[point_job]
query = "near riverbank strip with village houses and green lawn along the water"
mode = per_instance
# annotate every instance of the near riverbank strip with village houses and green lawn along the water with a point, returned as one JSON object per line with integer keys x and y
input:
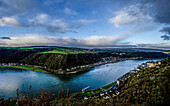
{"x": 110, "y": 88}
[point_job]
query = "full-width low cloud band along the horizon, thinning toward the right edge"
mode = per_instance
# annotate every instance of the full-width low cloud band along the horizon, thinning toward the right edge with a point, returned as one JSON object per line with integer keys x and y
{"x": 92, "y": 41}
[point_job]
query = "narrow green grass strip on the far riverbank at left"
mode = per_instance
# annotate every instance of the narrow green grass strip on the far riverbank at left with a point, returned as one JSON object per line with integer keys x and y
{"x": 33, "y": 68}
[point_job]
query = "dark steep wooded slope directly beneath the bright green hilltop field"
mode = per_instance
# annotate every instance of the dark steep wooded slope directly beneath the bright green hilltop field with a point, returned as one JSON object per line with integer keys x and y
{"x": 63, "y": 61}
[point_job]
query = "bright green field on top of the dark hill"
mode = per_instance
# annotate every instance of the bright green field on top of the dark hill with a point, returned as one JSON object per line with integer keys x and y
{"x": 62, "y": 51}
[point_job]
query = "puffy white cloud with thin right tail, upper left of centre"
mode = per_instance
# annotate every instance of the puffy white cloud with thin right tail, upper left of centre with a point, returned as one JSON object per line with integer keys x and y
{"x": 58, "y": 25}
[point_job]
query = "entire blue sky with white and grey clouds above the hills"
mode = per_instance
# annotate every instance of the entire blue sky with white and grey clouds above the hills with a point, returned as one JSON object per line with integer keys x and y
{"x": 85, "y": 23}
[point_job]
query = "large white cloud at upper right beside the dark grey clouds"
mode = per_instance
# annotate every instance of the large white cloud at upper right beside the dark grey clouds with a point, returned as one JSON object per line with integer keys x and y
{"x": 137, "y": 21}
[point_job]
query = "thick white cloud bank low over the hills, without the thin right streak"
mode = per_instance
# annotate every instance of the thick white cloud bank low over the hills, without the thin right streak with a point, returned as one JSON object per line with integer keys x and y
{"x": 39, "y": 40}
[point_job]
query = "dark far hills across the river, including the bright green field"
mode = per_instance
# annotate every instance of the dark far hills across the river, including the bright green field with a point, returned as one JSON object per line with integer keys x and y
{"x": 56, "y": 58}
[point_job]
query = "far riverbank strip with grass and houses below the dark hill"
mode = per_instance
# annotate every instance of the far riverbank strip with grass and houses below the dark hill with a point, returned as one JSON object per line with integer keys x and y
{"x": 73, "y": 70}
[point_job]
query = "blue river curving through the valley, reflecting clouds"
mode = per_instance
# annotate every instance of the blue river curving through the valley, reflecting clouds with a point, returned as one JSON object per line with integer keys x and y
{"x": 11, "y": 78}
